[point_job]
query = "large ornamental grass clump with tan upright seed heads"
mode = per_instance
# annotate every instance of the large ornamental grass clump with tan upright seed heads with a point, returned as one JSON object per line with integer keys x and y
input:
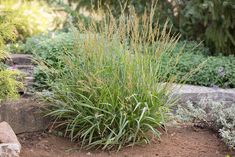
{"x": 110, "y": 92}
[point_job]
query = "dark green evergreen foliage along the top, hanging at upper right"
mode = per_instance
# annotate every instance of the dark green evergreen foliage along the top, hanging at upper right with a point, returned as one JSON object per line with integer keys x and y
{"x": 210, "y": 21}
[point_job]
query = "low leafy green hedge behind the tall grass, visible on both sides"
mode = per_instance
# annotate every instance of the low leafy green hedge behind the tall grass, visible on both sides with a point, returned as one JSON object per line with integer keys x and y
{"x": 216, "y": 71}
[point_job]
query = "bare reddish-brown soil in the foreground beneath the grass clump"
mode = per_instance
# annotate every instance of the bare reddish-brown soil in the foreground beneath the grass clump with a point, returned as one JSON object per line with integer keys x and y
{"x": 183, "y": 141}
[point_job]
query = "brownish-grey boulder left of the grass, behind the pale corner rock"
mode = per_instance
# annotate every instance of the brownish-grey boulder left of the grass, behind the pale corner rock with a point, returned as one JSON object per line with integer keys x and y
{"x": 23, "y": 115}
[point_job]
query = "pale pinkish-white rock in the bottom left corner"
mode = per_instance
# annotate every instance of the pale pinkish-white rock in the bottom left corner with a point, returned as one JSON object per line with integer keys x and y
{"x": 9, "y": 144}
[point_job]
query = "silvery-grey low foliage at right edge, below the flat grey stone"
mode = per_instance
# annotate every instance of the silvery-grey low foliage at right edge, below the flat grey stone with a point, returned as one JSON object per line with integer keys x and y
{"x": 212, "y": 115}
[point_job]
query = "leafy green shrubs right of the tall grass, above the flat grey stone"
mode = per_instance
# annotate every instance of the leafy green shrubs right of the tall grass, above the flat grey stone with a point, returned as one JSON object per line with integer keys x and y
{"x": 217, "y": 70}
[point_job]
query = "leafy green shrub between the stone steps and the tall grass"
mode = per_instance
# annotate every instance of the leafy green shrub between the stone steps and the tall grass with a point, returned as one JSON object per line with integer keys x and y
{"x": 49, "y": 48}
